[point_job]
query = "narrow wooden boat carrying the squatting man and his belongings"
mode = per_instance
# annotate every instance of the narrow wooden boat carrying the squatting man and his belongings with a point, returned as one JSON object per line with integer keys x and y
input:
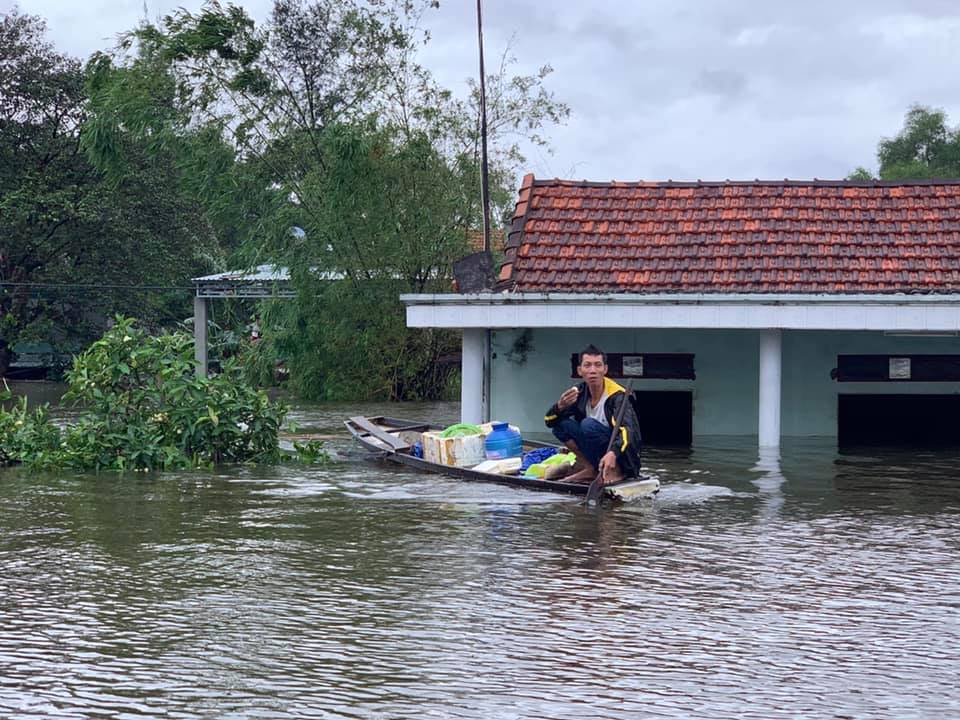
{"x": 392, "y": 439}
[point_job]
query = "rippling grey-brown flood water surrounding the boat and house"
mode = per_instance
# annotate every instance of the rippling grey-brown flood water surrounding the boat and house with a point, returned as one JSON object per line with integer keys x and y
{"x": 814, "y": 585}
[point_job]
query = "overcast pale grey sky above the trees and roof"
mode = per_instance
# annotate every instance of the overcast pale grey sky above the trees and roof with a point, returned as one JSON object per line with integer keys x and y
{"x": 674, "y": 89}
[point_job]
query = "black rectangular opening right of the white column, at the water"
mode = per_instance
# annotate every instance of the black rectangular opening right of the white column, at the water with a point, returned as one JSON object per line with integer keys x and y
{"x": 890, "y": 420}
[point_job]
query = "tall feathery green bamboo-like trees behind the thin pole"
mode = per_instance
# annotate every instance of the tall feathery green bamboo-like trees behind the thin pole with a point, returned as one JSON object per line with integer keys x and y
{"x": 350, "y": 167}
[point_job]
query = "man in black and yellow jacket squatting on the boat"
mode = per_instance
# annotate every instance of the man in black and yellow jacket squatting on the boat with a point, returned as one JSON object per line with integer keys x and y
{"x": 582, "y": 418}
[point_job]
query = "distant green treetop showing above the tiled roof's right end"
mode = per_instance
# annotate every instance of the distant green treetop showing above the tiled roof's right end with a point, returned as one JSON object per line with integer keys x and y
{"x": 926, "y": 147}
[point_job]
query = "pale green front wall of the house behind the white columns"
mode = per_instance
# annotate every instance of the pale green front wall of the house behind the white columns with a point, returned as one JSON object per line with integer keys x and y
{"x": 725, "y": 393}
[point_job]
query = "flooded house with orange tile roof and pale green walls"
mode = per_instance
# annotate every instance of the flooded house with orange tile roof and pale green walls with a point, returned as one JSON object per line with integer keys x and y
{"x": 767, "y": 309}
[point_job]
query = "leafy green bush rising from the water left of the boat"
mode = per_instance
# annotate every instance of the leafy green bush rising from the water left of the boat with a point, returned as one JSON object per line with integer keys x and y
{"x": 144, "y": 408}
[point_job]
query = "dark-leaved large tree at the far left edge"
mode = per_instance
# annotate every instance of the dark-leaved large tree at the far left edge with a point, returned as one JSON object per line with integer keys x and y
{"x": 62, "y": 223}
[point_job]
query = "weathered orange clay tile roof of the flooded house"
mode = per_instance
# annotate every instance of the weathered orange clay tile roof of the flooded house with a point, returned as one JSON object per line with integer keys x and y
{"x": 735, "y": 237}
